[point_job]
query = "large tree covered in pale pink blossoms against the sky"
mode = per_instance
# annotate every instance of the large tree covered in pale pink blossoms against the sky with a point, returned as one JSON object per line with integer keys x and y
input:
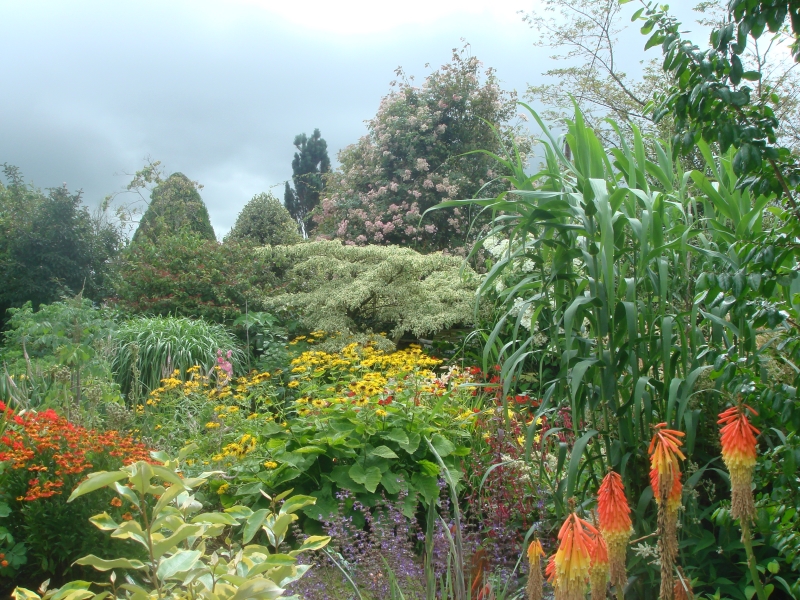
{"x": 414, "y": 157}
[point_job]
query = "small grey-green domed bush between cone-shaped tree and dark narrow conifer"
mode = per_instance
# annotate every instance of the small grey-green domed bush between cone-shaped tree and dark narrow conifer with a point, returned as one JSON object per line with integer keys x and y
{"x": 264, "y": 221}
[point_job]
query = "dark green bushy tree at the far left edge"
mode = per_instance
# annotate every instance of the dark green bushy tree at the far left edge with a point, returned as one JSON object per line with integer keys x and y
{"x": 51, "y": 245}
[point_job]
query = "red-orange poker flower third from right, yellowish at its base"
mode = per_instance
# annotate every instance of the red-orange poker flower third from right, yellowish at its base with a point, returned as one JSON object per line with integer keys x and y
{"x": 615, "y": 524}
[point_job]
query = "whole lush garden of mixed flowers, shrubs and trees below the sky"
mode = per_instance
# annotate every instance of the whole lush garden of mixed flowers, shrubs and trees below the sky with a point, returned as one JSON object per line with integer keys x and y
{"x": 443, "y": 375}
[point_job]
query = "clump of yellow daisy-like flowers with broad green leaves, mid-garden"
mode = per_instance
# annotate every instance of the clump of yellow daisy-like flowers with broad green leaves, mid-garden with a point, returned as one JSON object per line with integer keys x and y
{"x": 353, "y": 420}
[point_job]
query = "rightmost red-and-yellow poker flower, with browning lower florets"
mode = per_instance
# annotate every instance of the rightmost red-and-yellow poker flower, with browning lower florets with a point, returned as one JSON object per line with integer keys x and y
{"x": 739, "y": 444}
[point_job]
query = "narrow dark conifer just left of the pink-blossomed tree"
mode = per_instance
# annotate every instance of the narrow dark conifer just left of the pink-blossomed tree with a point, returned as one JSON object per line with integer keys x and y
{"x": 309, "y": 166}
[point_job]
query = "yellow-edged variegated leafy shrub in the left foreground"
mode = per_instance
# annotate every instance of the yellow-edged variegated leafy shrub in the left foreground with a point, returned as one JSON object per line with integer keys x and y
{"x": 175, "y": 537}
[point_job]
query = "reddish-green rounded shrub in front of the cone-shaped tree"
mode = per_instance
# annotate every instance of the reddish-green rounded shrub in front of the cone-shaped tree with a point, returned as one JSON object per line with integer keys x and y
{"x": 186, "y": 275}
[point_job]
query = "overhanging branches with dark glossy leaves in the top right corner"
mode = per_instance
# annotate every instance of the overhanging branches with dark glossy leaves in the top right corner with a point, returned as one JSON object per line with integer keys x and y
{"x": 712, "y": 98}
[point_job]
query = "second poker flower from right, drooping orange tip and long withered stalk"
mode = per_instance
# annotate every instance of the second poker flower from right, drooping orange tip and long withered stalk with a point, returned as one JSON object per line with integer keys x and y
{"x": 665, "y": 479}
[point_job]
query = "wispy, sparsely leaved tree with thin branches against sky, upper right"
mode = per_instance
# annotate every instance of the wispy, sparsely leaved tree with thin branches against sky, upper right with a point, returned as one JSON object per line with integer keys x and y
{"x": 584, "y": 35}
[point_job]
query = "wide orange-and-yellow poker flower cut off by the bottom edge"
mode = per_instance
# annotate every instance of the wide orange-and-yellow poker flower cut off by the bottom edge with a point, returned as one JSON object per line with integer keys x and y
{"x": 572, "y": 560}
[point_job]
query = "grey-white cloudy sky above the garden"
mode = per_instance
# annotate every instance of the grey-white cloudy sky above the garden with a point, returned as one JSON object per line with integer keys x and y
{"x": 218, "y": 89}
